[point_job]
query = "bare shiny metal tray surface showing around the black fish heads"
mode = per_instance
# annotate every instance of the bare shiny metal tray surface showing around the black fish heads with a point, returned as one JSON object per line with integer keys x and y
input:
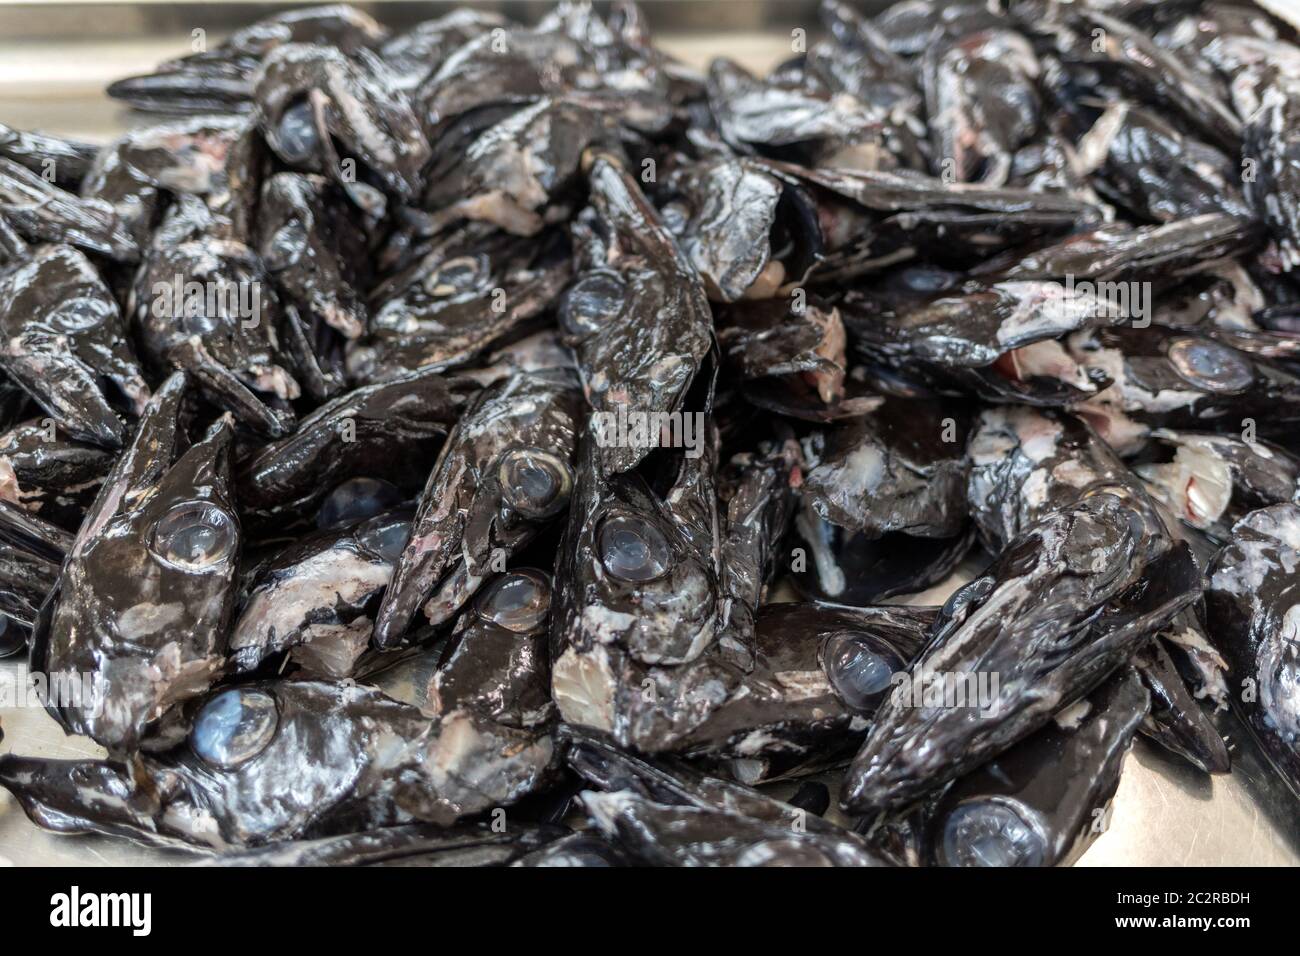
{"x": 1165, "y": 814}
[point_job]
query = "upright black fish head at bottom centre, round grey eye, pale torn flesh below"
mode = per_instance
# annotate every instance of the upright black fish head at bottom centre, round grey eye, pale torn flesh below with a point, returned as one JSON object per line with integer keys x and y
{"x": 612, "y": 638}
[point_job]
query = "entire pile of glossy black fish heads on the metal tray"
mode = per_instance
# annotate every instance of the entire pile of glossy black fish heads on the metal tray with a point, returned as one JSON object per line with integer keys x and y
{"x": 406, "y": 440}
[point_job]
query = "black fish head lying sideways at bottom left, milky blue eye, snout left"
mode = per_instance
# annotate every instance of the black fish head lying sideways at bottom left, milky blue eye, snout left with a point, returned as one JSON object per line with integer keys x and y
{"x": 343, "y": 759}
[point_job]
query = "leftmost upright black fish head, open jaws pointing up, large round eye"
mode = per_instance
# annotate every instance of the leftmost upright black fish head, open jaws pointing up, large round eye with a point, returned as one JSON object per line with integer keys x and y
{"x": 136, "y": 609}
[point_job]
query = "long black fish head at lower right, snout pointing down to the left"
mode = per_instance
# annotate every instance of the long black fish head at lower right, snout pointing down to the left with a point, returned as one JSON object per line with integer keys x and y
{"x": 1042, "y": 618}
